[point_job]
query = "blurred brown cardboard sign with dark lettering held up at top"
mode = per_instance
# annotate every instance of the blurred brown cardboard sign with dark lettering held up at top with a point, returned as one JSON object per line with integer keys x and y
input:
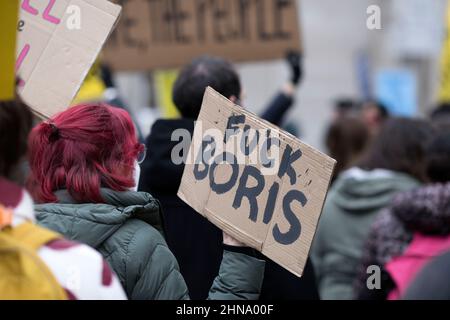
{"x": 159, "y": 34}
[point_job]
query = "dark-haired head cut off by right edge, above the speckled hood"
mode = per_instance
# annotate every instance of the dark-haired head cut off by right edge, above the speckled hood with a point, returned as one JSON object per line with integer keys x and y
{"x": 438, "y": 158}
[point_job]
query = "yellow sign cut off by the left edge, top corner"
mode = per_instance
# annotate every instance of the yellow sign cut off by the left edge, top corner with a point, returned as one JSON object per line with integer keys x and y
{"x": 9, "y": 11}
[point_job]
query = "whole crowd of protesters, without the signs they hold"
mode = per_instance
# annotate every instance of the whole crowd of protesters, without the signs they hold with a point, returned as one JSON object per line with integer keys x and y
{"x": 96, "y": 203}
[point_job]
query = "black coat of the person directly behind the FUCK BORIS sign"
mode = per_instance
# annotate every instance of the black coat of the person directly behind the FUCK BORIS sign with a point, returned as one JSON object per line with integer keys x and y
{"x": 195, "y": 242}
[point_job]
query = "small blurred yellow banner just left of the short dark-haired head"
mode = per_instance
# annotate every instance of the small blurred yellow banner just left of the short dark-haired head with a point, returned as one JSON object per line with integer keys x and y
{"x": 164, "y": 81}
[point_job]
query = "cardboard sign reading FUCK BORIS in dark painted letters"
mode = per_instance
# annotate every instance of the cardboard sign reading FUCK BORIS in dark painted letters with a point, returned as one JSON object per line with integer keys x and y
{"x": 257, "y": 183}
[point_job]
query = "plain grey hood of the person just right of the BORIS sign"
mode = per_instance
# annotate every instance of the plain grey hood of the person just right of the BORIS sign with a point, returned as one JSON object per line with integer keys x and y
{"x": 360, "y": 191}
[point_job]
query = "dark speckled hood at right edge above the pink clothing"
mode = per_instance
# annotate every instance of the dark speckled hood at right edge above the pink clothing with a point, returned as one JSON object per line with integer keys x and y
{"x": 425, "y": 210}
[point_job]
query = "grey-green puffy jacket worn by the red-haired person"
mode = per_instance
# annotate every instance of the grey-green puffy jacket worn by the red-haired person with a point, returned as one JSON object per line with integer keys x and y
{"x": 126, "y": 230}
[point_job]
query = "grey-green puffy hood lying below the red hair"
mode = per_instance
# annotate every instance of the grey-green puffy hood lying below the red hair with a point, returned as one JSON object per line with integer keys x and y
{"x": 92, "y": 224}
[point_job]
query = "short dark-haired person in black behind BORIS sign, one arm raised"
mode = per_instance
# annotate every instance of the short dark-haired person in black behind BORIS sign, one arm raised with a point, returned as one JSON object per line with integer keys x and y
{"x": 195, "y": 241}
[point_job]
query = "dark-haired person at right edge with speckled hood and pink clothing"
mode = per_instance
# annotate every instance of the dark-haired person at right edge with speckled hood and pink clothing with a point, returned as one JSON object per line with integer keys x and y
{"x": 413, "y": 230}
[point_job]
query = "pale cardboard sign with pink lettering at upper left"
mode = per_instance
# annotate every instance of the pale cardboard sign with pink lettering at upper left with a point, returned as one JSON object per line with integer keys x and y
{"x": 58, "y": 43}
